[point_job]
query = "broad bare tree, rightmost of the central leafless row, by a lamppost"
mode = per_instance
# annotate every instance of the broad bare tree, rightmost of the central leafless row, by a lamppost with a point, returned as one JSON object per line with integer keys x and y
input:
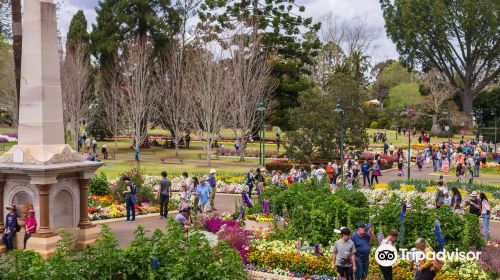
{"x": 249, "y": 82}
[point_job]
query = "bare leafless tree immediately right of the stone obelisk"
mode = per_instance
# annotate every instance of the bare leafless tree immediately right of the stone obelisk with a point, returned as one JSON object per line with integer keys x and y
{"x": 76, "y": 74}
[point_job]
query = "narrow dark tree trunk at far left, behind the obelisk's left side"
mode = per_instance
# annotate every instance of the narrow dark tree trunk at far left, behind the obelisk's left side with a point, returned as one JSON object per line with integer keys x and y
{"x": 17, "y": 32}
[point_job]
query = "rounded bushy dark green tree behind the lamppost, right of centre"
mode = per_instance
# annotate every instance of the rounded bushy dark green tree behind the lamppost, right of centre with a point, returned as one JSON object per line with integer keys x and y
{"x": 318, "y": 125}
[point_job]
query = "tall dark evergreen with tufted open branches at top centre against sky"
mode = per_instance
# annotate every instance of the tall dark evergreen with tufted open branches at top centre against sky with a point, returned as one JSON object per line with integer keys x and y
{"x": 285, "y": 33}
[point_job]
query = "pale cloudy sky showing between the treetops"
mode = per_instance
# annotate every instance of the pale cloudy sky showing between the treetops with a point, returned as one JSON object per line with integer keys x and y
{"x": 368, "y": 10}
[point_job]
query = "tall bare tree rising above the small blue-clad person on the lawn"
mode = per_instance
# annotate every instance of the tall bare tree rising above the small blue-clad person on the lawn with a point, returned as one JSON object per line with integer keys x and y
{"x": 136, "y": 95}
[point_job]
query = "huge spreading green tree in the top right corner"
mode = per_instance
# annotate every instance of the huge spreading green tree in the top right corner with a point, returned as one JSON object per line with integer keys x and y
{"x": 460, "y": 38}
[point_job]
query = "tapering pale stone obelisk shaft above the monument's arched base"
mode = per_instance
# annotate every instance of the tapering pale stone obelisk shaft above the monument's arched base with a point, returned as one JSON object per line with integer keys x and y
{"x": 41, "y": 127}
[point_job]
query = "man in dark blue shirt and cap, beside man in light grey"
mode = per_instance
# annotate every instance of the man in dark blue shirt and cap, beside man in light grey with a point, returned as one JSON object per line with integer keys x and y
{"x": 361, "y": 239}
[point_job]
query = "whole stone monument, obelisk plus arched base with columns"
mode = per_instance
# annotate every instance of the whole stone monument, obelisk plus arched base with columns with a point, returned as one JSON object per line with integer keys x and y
{"x": 41, "y": 169}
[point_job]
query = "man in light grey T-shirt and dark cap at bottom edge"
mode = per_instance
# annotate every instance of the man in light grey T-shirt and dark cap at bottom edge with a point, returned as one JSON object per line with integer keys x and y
{"x": 343, "y": 255}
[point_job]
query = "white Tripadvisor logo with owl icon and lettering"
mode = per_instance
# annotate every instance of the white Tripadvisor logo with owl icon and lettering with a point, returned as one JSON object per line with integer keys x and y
{"x": 387, "y": 255}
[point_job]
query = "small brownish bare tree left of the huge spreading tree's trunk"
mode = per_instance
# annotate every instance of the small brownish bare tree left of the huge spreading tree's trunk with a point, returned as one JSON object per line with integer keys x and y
{"x": 439, "y": 92}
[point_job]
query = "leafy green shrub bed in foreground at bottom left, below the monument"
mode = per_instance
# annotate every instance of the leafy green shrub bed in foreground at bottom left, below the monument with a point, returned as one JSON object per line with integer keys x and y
{"x": 179, "y": 256}
